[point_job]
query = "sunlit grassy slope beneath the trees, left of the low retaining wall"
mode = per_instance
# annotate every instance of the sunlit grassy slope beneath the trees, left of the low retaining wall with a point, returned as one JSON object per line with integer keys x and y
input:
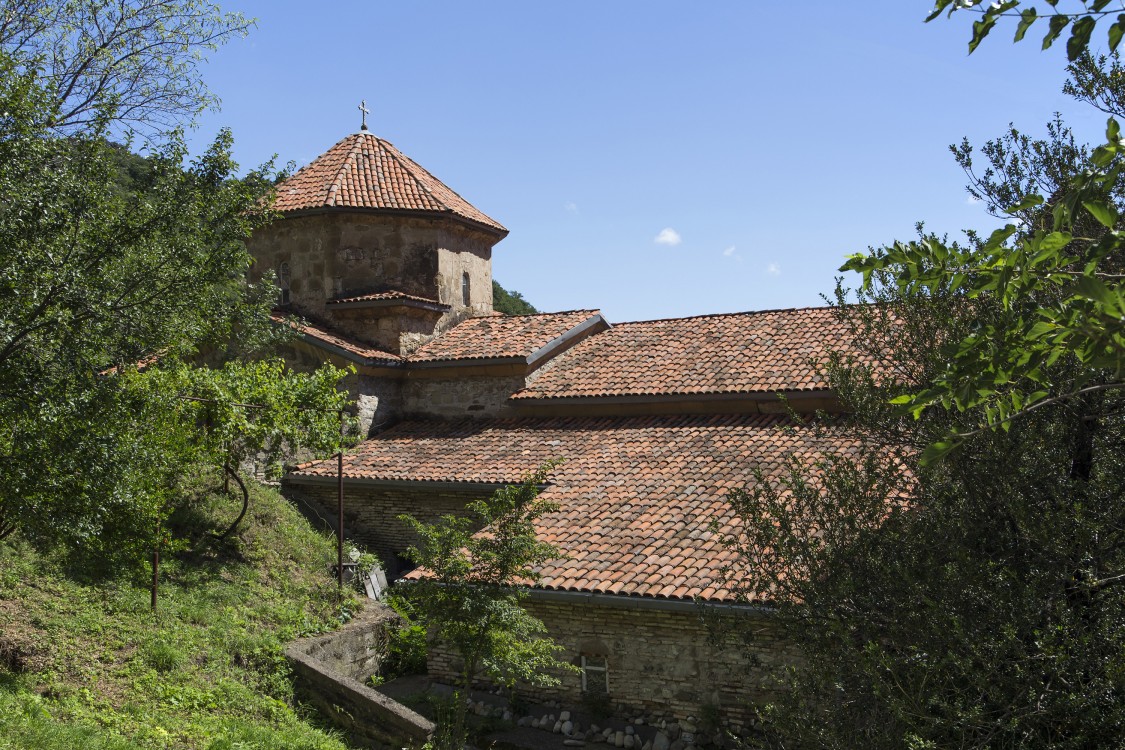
{"x": 85, "y": 664}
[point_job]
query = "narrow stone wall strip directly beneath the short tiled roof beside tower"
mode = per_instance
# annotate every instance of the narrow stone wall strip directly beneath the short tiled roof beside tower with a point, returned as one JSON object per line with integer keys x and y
{"x": 461, "y": 397}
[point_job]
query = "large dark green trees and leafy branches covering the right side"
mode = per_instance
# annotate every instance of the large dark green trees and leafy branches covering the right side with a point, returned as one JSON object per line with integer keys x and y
{"x": 968, "y": 598}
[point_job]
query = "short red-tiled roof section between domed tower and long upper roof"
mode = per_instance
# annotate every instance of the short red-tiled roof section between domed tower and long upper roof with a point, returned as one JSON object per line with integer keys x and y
{"x": 501, "y": 338}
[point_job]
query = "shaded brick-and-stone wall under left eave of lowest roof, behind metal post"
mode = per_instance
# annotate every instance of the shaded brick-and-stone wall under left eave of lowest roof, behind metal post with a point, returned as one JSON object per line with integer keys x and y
{"x": 372, "y": 514}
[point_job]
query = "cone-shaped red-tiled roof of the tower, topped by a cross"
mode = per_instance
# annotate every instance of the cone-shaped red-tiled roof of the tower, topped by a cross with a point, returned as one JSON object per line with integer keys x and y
{"x": 366, "y": 173}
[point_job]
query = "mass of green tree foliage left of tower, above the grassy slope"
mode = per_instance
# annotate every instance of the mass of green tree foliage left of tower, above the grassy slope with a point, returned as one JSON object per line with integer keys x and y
{"x": 123, "y": 277}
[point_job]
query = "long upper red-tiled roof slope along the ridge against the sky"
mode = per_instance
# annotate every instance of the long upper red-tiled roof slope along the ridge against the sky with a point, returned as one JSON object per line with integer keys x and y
{"x": 739, "y": 354}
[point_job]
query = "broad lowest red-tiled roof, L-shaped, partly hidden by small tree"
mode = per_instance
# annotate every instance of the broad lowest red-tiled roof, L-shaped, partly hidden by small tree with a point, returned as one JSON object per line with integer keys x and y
{"x": 636, "y": 494}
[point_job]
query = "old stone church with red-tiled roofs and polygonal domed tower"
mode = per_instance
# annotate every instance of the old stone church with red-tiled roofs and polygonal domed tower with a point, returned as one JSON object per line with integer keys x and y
{"x": 390, "y": 270}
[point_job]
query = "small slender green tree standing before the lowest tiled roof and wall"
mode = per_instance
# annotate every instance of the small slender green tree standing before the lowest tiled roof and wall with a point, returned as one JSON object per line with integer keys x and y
{"x": 471, "y": 592}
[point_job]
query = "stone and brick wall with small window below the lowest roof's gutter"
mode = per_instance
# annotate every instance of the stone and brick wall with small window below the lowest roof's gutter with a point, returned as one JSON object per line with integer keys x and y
{"x": 661, "y": 664}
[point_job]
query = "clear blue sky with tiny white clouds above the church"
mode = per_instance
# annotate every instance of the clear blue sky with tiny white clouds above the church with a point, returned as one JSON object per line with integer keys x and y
{"x": 652, "y": 159}
